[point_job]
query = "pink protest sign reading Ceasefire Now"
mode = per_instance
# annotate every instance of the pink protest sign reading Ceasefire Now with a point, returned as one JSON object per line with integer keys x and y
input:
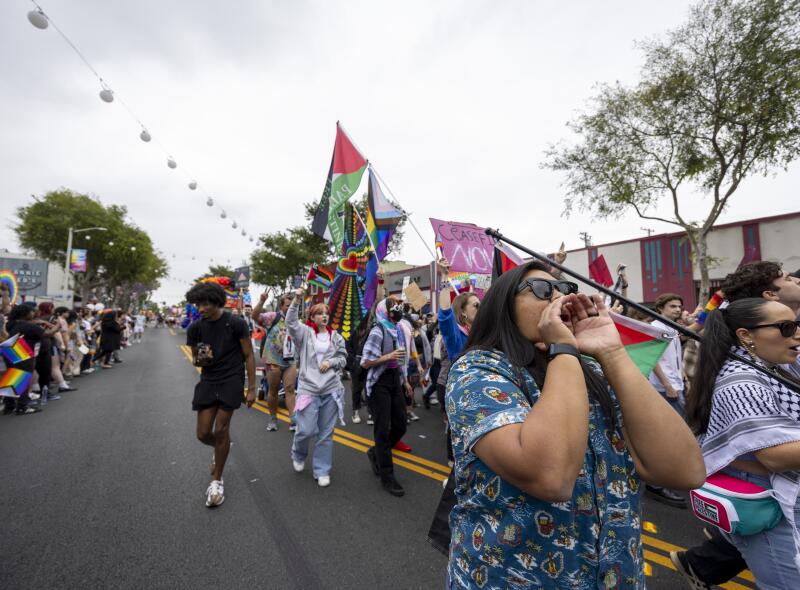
{"x": 465, "y": 245}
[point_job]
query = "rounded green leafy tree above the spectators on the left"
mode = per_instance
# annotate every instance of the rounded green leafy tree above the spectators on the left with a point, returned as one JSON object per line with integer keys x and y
{"x": 120, "y": 261}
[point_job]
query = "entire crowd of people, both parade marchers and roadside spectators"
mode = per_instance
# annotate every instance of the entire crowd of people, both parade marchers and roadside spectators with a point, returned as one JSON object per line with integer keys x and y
{"x": 552, "y": 431}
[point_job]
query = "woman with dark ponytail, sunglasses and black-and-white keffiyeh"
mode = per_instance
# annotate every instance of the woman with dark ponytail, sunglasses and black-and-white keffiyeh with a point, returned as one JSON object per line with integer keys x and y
{"x": 748, "y": 423}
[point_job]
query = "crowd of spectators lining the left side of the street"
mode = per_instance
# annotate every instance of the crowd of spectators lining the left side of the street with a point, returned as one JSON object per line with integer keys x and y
{"x": 66, "y": 344}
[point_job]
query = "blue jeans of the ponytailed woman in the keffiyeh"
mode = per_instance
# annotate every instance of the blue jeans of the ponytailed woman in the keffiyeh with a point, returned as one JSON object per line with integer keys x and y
{"x": 769, "y": 554}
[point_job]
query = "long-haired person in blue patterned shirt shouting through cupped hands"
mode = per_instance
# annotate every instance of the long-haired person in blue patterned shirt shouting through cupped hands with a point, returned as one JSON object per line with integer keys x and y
{"x": 550, "y": 445}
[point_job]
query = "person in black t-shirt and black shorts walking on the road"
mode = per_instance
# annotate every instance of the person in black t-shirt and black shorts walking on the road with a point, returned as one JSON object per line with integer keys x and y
{"x": 221, "y": 346}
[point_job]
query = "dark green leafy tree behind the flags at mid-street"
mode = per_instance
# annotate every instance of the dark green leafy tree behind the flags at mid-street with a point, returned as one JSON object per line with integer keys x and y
{"x": 285, "y": 254}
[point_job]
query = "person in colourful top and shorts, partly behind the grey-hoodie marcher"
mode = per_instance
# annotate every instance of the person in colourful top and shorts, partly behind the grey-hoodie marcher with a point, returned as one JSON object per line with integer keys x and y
{"x": 279, "y": 360}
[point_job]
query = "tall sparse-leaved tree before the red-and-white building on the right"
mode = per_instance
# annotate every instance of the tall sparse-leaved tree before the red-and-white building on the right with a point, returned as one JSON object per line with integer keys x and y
{"x": 717, "y": 102}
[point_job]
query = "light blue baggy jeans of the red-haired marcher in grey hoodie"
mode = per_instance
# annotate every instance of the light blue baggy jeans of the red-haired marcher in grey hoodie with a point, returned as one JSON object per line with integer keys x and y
{"x": 317, "y": 419}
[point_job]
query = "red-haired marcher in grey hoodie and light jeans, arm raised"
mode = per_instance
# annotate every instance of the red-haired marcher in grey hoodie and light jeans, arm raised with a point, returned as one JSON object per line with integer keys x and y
{"x": 321, "y": 355}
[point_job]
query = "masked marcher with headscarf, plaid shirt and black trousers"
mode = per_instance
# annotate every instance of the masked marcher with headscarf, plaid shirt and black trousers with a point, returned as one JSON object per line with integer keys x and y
{"x": 386, "y": 386}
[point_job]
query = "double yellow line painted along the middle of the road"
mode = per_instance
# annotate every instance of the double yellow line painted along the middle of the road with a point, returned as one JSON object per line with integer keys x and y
{"x": 440, "y": 472}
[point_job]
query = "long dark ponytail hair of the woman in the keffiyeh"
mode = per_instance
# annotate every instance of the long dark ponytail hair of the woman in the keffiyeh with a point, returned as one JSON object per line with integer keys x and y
{"x": 719, "y": 336}
